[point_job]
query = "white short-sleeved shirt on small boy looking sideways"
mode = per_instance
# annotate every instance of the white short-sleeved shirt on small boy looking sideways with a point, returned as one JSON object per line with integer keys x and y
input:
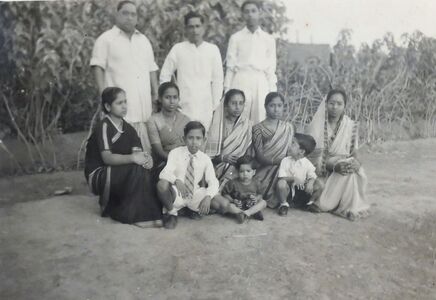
{"x": 302, "y": 170}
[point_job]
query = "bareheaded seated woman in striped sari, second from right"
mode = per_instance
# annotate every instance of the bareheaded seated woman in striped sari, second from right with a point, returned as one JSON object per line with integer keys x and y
{"x": 271, "y": 139}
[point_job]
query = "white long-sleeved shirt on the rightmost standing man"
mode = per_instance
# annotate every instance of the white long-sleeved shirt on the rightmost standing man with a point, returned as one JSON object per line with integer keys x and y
{"x": 251, "y": 51}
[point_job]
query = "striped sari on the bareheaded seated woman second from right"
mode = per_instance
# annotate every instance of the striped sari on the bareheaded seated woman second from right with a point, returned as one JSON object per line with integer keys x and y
{"x": 275, "y": 147}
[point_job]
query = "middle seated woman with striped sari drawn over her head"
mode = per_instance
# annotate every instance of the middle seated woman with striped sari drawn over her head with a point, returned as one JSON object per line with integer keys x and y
{"x": 229, "y": 135}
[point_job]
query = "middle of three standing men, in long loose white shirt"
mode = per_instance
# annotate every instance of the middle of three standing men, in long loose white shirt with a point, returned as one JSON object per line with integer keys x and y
{"x": 199, "y": 72}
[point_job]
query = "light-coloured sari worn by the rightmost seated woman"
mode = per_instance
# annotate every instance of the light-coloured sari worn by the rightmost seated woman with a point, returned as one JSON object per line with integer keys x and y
{"x": 343, "y": 194}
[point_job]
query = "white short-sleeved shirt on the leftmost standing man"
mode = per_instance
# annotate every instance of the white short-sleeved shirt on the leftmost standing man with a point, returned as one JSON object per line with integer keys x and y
{"x": 127, "y": 64}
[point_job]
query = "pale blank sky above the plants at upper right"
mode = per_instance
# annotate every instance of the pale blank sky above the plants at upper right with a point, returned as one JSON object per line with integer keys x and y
{"x": 320, "y": 21}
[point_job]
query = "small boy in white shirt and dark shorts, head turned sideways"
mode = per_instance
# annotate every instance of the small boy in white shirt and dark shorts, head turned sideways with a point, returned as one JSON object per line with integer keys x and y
{"x": 298, "y": 182}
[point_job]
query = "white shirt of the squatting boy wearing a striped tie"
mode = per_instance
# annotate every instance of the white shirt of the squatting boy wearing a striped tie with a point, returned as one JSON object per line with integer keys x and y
{"x": 177, "y": 165}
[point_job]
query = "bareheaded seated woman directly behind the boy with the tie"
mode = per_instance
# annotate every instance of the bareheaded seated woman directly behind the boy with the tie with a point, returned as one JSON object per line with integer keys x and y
{"x": 165, "y": 128}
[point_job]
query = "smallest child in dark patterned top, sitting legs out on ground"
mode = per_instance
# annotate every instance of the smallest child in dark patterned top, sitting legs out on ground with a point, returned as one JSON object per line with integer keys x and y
{"x": 244, "y": 193}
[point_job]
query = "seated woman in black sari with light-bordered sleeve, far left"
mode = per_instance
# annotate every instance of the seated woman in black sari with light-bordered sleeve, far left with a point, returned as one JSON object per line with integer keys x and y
{"x": 117, "y": 169}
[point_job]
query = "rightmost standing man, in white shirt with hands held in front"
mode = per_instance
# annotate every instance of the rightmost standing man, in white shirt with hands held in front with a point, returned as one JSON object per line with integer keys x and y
{"x": 251, "y": 62}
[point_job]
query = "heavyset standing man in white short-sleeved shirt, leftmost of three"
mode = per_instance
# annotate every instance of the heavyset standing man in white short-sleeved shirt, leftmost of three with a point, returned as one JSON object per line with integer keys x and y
{"x": 123, "y": 57}
